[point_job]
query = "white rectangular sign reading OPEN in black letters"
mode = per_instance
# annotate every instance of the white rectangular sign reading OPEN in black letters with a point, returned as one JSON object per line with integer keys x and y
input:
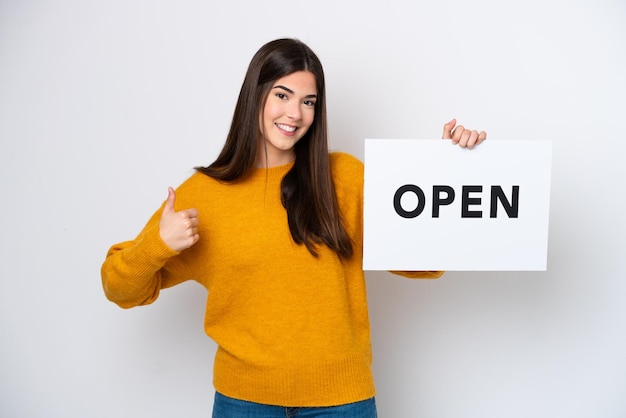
{"x": 429, "y": 205}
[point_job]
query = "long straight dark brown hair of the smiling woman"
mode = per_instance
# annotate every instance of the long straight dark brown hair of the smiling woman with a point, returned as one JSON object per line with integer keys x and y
{"x": 307, "y": 190}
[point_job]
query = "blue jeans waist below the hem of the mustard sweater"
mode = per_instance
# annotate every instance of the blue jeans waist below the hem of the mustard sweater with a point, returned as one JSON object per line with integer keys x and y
{"x": 225, "y": 407}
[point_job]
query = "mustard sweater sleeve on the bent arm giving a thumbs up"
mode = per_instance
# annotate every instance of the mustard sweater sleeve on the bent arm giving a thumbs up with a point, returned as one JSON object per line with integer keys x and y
{"x": 134, "y": 272}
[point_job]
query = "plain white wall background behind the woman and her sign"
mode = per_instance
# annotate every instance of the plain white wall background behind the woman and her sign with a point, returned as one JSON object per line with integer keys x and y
{"x": 103, "y": 104}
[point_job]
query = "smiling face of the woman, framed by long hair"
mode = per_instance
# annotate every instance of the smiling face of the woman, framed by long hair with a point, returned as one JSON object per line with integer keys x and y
{"x": 287, "y": 116}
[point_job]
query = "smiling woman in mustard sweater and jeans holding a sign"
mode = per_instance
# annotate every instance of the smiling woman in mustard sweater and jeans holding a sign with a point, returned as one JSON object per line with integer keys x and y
{"x": 273, "y": 230}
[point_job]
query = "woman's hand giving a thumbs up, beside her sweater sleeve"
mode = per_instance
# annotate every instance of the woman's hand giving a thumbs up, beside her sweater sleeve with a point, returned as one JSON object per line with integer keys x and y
{"x": 179, "y": 230}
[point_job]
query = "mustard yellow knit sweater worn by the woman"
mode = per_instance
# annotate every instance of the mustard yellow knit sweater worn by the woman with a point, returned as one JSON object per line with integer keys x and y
{"x": 291, "y": 329}
